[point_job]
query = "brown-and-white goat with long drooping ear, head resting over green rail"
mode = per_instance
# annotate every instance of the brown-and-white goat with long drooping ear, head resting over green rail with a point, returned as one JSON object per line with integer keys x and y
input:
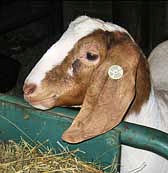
{"x": 98, "y": 65}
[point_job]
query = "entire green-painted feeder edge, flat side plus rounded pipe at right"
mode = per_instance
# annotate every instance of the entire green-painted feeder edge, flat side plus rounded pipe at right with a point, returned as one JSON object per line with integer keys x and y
{"x": 18, "y": 119}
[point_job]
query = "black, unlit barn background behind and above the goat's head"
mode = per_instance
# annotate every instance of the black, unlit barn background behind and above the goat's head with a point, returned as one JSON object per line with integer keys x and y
{"x": 29, "y": 27}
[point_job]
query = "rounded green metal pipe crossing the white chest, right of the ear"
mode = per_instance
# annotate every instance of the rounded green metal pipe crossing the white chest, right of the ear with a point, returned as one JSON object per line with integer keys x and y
{"x": 143, "y": 138}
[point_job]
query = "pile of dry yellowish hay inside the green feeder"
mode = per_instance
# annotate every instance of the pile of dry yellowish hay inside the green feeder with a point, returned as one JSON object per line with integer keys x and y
{"x": 24, "y": 158}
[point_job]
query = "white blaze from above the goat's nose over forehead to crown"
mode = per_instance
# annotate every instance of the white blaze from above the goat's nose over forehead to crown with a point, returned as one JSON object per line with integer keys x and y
{"x": 55, "y": 55}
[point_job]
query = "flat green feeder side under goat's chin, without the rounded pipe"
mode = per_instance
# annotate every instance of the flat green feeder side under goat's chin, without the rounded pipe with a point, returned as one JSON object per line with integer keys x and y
{"x": 18, "y": 119}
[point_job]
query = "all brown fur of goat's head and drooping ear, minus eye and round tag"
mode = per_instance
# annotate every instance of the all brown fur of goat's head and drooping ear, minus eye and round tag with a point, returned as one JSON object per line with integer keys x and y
{"x": 105, "y": 101}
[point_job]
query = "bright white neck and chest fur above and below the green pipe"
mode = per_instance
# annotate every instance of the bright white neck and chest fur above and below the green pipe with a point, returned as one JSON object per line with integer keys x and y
{"x": 152, "y": 114}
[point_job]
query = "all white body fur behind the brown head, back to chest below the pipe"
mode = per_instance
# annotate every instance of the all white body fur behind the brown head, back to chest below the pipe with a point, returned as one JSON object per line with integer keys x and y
{"x": 153, "y": 114}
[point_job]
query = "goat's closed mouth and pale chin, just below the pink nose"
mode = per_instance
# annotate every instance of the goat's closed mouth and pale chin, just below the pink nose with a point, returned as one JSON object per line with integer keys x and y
{"x": 44, "y": 104}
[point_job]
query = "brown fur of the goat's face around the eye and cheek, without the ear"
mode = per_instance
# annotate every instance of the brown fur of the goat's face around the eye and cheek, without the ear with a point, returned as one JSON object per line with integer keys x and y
{"x": 72, "y": 89}
